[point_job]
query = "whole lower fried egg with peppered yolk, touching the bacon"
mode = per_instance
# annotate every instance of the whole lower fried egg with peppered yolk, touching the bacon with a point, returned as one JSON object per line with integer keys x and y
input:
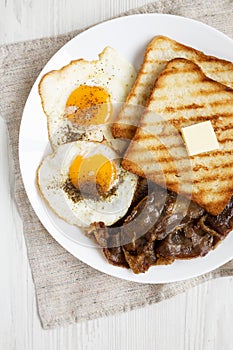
{"x": 83, "y": 183}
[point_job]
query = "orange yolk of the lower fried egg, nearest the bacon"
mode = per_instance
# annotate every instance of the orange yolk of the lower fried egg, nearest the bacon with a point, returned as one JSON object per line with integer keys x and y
{"x": 96, "y": 170}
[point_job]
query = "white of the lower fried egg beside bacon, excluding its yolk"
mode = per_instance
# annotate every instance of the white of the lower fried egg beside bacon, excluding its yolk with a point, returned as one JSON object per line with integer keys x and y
{"x": 53, "y": 172}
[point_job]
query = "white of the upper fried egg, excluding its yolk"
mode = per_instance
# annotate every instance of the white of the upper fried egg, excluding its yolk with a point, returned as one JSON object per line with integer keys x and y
{"x": 111, "y": 72}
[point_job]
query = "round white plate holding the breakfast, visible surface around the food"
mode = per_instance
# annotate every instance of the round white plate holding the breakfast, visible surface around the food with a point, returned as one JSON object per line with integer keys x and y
{"x": 129, "y": 35}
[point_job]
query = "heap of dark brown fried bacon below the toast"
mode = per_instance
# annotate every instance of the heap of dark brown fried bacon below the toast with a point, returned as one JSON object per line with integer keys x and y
{"x": 160, "y": 228}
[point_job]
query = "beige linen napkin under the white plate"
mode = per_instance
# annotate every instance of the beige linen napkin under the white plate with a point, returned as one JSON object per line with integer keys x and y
{"x": 68, "y": 290}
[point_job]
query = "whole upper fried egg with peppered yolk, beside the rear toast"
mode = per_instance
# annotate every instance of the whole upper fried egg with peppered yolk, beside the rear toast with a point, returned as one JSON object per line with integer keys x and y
{"x": 81, "y": 99}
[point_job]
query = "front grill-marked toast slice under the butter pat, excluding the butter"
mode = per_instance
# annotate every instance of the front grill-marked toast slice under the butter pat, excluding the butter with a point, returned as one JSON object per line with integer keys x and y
{"x": 183, "y": 96}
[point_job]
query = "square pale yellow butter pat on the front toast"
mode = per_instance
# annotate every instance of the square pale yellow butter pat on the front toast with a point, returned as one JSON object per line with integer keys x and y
{"x": 200, "y": 138}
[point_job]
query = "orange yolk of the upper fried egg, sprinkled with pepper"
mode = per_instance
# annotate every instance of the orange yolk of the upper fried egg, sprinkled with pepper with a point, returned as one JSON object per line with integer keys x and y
{"x": 88, "y": 105}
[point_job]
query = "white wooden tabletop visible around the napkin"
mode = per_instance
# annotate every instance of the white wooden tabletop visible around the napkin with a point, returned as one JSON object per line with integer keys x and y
{"x": 200, "y": 319}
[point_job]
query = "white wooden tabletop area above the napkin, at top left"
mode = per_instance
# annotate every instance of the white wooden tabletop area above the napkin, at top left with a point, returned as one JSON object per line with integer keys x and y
{"x": 30, "y": 19}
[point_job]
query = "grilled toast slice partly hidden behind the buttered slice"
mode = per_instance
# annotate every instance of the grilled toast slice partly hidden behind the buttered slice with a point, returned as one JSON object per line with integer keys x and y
{"x": 161, "y": 50}
